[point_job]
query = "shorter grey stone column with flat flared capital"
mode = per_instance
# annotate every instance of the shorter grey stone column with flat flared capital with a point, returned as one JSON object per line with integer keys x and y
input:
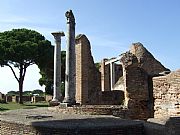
{"x": 57, "y": 66}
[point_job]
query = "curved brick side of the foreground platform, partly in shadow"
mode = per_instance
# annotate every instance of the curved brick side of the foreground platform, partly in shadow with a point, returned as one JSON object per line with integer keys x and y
{"x": 38, "y": 129}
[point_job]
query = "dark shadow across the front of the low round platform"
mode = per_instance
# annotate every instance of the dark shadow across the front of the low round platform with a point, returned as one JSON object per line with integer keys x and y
{"x": 89, "y": 126}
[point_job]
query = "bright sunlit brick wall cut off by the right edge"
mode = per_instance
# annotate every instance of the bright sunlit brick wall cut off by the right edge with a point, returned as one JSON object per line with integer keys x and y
{"x": 166, "y": 92}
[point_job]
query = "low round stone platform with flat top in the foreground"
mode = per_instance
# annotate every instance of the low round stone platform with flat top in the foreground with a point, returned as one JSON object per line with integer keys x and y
{"x": 41, "y": 121}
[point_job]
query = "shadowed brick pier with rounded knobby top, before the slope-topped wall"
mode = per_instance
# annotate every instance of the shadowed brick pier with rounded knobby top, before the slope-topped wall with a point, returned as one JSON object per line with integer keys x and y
{"x": 136, "y": 87}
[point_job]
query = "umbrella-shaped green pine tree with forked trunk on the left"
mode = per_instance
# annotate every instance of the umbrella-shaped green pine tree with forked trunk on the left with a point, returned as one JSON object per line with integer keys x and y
{"x": 20, "y": 48}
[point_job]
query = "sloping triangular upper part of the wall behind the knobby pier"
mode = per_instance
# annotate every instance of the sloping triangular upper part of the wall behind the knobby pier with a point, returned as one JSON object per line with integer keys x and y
{"x": 146, "y": 60}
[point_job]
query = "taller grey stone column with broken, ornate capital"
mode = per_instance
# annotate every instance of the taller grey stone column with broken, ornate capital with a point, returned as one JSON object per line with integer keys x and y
{"x": 70, "y": 72}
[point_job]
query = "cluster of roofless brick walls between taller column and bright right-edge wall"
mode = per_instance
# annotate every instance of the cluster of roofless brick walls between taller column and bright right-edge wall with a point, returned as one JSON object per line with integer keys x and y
{"x": 125, "y": 80}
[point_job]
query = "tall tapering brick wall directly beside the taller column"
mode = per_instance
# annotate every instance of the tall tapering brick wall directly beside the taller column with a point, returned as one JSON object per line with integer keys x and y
{"x": 88, "y": 78}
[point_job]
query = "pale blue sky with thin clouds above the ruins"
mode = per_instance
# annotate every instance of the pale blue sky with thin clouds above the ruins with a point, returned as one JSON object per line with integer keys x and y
{"x": 111, "y": 27}
